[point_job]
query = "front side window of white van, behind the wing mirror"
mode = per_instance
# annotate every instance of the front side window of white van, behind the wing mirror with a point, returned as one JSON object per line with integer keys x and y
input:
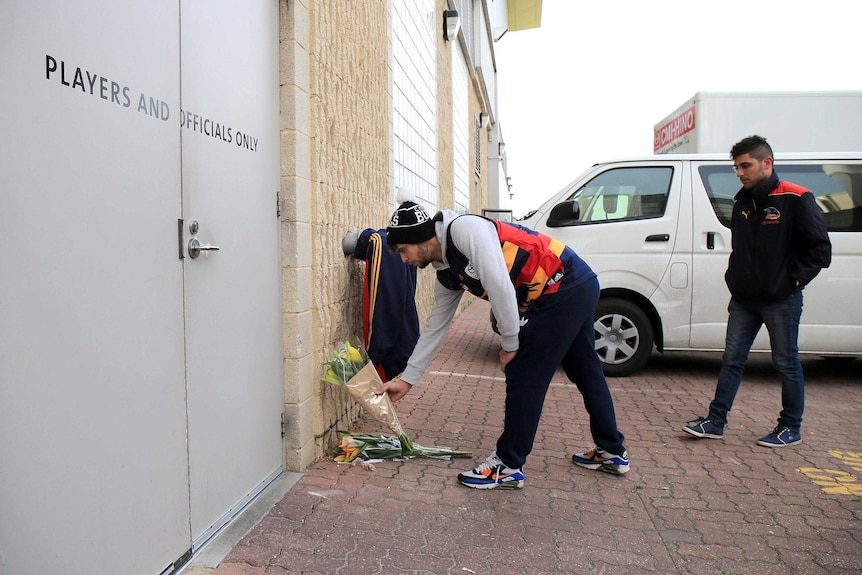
{"x": 624, "y": 194}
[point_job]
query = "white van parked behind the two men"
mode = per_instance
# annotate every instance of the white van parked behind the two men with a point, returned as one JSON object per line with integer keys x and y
{"x": 656, "y": 231}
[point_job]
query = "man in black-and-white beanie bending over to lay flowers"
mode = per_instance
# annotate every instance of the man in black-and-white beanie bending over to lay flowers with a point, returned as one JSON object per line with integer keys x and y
{"x": 543, "y": 297}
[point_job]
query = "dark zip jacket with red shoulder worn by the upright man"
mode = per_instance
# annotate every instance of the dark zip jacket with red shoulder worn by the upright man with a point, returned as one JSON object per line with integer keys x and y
{"x": 779, "y": 241}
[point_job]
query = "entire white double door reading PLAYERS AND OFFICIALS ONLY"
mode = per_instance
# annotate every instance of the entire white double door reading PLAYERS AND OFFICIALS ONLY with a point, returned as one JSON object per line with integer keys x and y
{"x": 140, "y": 389}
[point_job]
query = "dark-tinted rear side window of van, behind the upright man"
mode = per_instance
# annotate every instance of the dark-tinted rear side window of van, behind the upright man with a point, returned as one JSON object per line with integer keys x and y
{"x": 837, "y": 188}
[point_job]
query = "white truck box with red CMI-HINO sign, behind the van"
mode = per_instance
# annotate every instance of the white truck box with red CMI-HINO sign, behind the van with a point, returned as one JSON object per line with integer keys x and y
{"x": 709, "y": 122}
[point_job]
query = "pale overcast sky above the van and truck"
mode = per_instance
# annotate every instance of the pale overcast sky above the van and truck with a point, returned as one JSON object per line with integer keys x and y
{"x": 591, "y": 82}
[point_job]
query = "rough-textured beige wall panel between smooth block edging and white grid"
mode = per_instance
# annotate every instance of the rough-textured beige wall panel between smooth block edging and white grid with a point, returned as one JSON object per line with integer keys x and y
{"x": 350, "y": 176}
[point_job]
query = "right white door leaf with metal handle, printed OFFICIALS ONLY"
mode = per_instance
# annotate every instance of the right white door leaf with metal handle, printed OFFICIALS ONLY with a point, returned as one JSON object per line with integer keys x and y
{"x": 233, "y": 297}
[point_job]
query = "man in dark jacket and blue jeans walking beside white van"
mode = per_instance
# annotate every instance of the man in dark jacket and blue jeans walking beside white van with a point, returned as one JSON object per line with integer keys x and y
{"x": 779, "y": 244}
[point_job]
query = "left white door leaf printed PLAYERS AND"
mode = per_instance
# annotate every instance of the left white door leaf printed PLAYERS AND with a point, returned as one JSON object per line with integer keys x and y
{"x": 93, "y": 461}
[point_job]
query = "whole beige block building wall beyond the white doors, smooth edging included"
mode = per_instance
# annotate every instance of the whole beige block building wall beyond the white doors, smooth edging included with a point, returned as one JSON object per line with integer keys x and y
{"x": 336, "y": 164}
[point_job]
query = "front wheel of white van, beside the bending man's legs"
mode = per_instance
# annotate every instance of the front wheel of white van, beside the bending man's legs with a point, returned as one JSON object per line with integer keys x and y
{"x": 624, "y": 336}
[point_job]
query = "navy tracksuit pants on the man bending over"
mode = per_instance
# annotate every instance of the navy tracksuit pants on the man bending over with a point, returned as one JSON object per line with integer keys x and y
{"x": 558, "y": 332}
